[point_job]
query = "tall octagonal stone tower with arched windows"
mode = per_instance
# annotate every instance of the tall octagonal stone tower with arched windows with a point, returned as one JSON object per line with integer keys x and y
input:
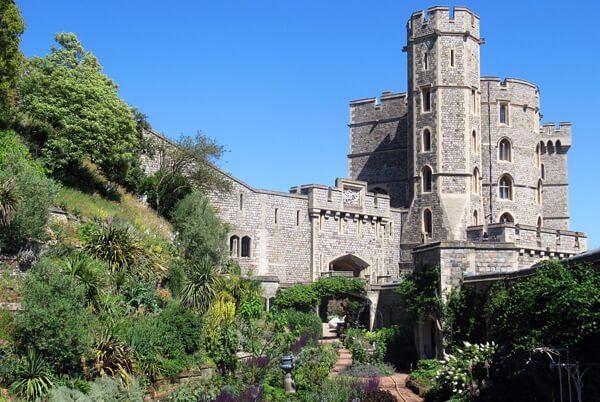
{"x": 444, "y": 126}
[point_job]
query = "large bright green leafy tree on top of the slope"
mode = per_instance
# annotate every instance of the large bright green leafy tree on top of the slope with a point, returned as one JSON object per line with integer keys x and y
{"x": 68, "y": 90}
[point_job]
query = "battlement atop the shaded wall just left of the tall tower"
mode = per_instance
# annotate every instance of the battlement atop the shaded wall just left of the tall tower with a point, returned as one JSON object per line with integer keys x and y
{"x": 390, "y": 105}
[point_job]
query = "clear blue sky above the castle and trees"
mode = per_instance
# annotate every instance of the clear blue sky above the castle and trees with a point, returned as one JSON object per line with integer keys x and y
{"x": 271, "y": 80}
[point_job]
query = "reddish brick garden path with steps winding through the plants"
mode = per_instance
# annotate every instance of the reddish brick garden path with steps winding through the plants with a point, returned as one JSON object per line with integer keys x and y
{"x": 395, "y": 384}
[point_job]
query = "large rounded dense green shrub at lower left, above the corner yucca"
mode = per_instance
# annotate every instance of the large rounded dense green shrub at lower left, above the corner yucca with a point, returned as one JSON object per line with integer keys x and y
{"x": 54, "y": 320}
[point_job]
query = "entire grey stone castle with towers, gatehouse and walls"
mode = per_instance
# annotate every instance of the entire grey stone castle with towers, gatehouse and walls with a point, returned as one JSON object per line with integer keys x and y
{"x": 455, "y": 172}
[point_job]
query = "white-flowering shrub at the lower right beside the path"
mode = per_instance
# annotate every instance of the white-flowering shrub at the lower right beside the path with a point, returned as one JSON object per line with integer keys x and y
{"x": 466, "y": 372}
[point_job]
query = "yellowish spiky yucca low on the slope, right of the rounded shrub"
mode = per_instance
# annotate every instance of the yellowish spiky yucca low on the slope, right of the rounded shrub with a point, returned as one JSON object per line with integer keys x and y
{"x": 113, "y": 358}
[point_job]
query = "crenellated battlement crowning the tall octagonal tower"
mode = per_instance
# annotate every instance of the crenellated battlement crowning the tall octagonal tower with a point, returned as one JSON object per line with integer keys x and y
{"x": 440, "y": 19}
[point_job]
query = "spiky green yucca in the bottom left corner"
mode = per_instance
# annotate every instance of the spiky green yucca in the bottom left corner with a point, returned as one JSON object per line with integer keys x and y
{"x": 34, "y": 378}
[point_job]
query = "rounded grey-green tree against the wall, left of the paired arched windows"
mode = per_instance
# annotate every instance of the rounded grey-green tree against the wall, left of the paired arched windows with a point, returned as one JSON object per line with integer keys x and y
{"x": 200, "y": 232}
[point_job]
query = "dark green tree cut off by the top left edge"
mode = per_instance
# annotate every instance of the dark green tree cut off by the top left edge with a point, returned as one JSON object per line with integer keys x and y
{"x": 11, "y": 29}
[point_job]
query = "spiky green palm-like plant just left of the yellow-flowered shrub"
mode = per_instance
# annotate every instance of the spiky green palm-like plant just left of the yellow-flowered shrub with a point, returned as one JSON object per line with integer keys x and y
{"x": 200, "y": 284}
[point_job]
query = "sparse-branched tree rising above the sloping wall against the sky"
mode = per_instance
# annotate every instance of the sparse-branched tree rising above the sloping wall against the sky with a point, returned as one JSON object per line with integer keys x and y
{"x": 185, "y": 165}
